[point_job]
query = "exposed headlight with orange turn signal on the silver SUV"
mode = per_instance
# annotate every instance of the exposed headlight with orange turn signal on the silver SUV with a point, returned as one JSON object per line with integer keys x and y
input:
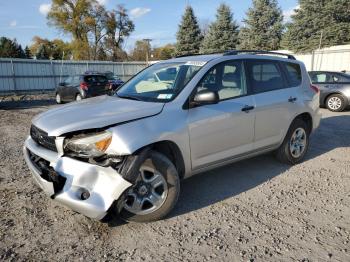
{"x": 89, "y": 145}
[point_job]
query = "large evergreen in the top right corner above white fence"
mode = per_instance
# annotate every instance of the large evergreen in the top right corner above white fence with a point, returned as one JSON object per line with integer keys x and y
{"x": 329, "y": 18}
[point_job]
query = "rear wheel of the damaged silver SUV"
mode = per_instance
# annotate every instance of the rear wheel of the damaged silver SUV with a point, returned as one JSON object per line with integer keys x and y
{"x": 288, "y": 151}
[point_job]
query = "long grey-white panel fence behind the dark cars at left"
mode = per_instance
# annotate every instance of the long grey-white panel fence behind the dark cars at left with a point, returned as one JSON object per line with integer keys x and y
{"x": 22, "y": 76}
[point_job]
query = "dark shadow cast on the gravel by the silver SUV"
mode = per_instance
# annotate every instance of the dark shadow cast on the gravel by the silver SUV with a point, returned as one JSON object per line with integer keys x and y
{"x": 219, "y": 184}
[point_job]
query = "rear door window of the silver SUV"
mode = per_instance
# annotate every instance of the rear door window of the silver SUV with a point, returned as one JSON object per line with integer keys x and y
{"x": 265, "y": 76}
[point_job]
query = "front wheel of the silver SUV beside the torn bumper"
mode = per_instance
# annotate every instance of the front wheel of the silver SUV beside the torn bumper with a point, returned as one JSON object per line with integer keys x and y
{"x": 163, "y": 167}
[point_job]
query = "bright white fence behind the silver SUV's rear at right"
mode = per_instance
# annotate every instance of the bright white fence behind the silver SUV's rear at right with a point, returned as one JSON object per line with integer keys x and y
{"x": 335, "y": 58}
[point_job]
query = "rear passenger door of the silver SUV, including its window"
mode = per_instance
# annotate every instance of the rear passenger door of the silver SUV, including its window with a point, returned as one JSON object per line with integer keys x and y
{"x": 275, "y": 97}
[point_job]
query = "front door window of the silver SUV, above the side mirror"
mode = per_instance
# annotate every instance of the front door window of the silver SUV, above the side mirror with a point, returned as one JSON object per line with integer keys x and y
{"x": 227, "y": 79}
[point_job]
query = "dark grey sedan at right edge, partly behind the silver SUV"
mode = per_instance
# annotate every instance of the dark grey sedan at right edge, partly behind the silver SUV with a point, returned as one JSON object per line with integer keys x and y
{"x": 334, "y": 89}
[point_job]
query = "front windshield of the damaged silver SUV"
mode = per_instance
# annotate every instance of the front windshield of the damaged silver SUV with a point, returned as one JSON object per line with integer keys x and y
{"x": 160, "y": 82}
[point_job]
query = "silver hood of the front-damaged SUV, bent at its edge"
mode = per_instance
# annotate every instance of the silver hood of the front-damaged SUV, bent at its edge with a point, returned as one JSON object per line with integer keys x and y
{"x": 93, "y": 113}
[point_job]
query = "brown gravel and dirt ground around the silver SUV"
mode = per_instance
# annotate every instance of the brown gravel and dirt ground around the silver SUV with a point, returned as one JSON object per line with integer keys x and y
{"x": 255, "y": 210}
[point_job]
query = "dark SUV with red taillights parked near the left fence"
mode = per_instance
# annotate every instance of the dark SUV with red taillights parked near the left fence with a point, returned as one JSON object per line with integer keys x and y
{"x": 82, "y": 86}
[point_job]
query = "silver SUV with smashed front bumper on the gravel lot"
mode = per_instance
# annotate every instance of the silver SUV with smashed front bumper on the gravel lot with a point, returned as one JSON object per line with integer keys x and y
{"x": 126, "y": 154}
